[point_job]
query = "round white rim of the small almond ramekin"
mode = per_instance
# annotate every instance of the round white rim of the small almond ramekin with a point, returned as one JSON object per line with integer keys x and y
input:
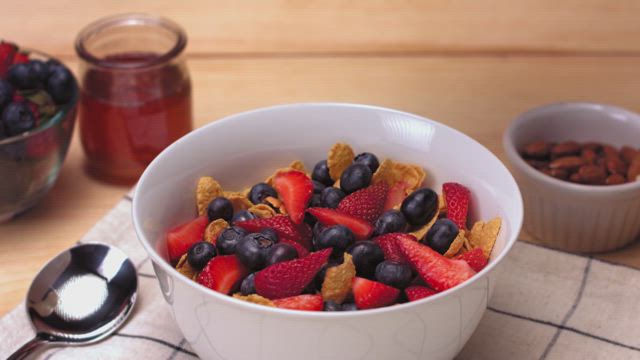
{"x": 517, "y": 160}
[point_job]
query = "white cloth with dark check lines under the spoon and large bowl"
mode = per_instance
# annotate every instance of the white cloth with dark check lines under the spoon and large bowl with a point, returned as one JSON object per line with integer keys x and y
{"x": 547, "y": 305}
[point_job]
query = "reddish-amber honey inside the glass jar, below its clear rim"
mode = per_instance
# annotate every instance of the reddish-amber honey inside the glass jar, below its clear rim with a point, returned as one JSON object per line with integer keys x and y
{"x": 128, "y": 116}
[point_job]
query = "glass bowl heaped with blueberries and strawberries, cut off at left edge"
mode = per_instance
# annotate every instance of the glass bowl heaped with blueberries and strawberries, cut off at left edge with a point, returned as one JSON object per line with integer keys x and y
{"x": 38, "y": 97}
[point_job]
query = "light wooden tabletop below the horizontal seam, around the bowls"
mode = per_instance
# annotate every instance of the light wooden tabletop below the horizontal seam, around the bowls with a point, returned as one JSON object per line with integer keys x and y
{"x": 478, "y": 95}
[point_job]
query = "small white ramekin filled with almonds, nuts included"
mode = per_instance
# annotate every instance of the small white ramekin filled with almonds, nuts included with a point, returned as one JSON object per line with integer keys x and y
{"x": 578, "y": 165}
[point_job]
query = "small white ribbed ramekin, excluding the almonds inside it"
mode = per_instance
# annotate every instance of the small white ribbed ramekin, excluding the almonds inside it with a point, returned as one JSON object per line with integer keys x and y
{"x": 568, "y": 216}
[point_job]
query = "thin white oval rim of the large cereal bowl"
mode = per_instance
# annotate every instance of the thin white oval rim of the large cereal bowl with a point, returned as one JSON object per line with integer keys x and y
{"x": 515, "y": 230}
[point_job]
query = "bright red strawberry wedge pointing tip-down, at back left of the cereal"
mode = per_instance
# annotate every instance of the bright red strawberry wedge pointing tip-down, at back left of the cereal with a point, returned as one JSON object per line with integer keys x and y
{"x": 295, "y": 190}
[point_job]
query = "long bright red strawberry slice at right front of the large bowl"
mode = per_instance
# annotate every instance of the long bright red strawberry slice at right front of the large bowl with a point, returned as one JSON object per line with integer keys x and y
{"x": 439, "y": 272}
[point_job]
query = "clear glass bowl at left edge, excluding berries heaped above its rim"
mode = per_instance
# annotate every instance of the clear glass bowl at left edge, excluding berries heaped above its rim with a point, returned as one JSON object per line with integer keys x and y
{"x": 30, "y": 162}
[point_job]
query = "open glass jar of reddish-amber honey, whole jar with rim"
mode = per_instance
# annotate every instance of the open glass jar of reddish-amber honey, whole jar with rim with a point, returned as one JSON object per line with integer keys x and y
{"x": 135, "y": 93}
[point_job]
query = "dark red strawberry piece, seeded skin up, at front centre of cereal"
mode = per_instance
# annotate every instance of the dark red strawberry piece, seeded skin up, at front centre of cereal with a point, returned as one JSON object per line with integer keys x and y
{"x": 289, "y": 278}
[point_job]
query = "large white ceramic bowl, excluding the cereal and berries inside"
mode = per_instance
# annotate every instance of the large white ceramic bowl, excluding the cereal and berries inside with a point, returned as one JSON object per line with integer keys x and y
{"x": 243, "y": 149}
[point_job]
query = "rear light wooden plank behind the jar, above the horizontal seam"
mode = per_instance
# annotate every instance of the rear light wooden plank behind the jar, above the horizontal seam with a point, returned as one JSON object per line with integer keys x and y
{"x": 350, "y": 26}
